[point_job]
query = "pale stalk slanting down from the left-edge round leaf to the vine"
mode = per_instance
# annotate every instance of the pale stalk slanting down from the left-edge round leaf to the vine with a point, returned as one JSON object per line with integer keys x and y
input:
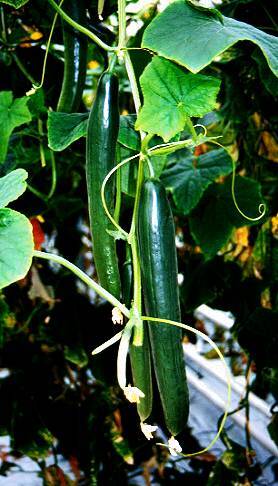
{"x": 85, "y": 278}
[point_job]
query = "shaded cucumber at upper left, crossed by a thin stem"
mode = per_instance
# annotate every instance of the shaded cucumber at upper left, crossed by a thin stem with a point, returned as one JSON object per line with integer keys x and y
{"x": 75, "y": 59}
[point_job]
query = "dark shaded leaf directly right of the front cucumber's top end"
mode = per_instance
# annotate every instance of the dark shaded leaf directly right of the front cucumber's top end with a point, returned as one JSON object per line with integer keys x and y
{"x": 190, "y": 176}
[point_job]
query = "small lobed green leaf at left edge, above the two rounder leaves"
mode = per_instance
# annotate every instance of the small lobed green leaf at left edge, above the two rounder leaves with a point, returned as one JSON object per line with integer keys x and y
{"x": 12, "y": 115}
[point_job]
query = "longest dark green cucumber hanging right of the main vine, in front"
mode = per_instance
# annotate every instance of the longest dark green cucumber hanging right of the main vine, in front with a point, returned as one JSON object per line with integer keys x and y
{"x": 156, "y": 236}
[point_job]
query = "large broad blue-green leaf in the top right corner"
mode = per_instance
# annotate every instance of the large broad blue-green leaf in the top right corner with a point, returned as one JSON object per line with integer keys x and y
{"x": 193, "y": 37}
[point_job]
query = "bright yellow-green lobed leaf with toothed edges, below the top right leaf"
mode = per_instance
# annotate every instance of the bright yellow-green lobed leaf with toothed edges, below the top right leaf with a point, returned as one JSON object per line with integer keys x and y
{"x": 171, "y": 95}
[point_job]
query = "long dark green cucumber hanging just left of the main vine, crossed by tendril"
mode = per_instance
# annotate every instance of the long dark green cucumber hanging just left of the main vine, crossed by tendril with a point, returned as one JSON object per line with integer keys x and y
{"x": 102, "y": 134}
